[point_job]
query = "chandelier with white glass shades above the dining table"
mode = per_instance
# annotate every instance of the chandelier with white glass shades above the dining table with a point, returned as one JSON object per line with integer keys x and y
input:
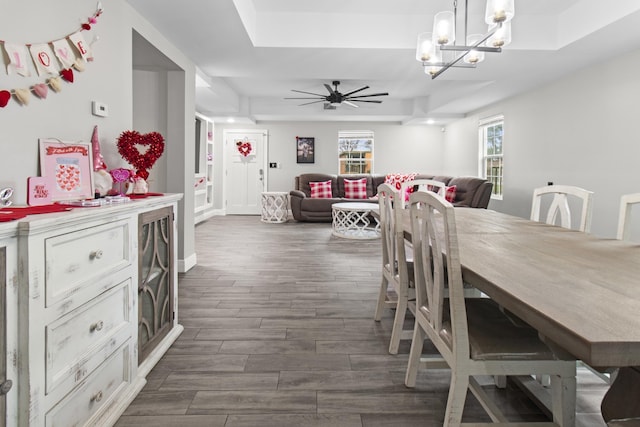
{"x": 438, "y": 50}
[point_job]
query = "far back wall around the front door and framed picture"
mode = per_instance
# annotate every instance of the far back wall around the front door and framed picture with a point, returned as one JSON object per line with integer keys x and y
{"x": 396, "y": 149}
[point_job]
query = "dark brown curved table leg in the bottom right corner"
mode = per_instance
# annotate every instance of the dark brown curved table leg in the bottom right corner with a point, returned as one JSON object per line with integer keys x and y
{"x": 619, "y": 405}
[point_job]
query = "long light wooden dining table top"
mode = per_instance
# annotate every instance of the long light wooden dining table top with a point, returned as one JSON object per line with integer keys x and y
{"x": 579, "y": 291}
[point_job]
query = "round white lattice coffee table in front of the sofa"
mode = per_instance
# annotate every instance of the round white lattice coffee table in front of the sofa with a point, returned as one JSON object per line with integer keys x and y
{"x": 351, "y": 220}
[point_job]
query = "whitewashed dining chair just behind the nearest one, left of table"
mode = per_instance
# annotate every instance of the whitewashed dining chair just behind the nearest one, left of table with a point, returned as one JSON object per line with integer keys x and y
{"x": 397, "y": 270}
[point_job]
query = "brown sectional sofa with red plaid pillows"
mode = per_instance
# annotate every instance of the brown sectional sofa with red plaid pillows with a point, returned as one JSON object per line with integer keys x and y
{"x": 471, "y": 192}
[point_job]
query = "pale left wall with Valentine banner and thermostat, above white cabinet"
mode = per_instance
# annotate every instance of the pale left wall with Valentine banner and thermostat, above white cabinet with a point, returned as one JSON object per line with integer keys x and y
{"x": 108, "y": 79}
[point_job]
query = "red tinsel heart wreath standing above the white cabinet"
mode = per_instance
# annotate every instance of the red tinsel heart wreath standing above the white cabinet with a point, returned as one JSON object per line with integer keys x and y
{"x": 127, "y": 142}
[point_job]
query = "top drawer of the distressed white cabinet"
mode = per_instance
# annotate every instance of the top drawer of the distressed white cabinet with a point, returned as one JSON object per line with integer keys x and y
{"x": 84, "y": 256}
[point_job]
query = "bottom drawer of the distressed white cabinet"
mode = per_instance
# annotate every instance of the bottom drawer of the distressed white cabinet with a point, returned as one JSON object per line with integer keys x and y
{"x": 98, "y": 391}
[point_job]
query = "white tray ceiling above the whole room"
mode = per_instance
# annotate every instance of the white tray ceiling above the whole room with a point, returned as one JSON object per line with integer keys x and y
{"x": 253, "y": 52}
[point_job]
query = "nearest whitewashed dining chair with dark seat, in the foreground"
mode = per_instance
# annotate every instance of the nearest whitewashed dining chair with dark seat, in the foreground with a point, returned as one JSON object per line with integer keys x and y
{"x": 474, "y": 336}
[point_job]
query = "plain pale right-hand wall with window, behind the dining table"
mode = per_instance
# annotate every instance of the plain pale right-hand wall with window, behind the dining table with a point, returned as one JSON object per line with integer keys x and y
{"x": 581, "y": 130}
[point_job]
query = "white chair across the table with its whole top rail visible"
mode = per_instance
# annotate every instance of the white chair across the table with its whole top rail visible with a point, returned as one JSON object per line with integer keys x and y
{"x": 560, "y": 205}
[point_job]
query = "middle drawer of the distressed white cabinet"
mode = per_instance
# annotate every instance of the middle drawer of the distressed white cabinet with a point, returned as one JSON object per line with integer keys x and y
{"x": 79, "y": 342}
